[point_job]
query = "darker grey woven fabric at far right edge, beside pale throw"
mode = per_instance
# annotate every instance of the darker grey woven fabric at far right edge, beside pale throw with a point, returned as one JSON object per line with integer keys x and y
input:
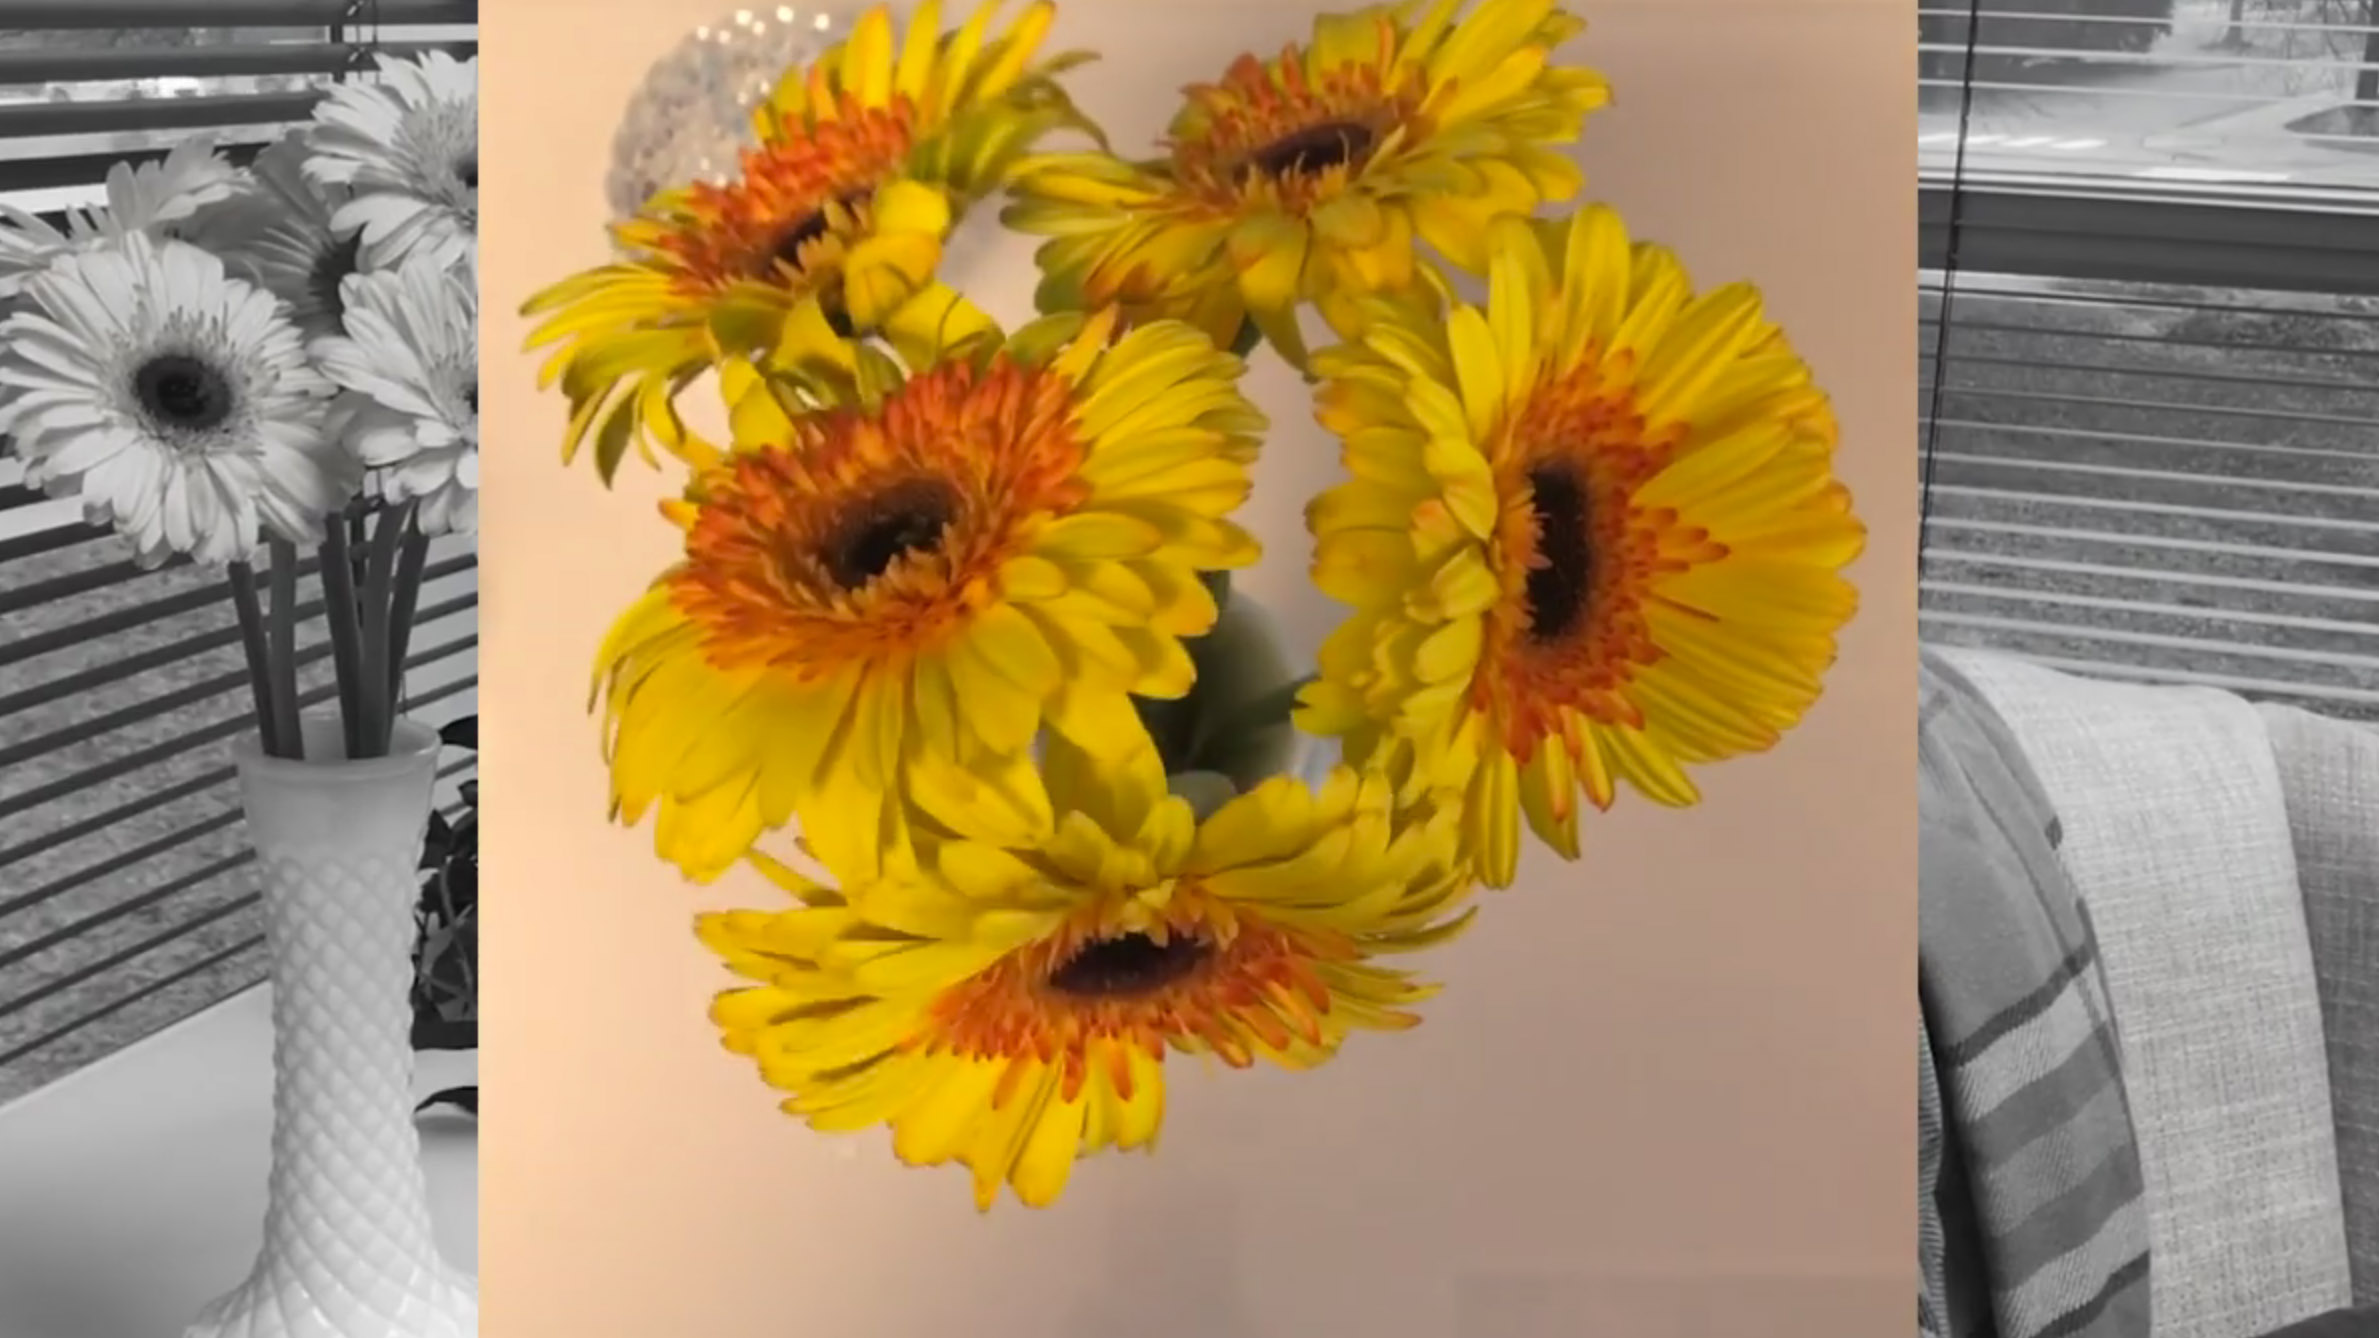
{"x": 2330, "y": 773}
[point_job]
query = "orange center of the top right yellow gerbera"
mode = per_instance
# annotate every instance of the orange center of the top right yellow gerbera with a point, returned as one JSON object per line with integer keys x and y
{"x": 1269, "y": 130}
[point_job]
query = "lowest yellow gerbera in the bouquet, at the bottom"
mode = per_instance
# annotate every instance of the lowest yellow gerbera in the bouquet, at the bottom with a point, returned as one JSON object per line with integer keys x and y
{"x": 1008, "y": 996}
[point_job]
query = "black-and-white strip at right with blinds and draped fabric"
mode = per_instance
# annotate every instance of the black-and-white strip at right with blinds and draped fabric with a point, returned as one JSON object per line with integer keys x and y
{"x": 2149, "y": 620}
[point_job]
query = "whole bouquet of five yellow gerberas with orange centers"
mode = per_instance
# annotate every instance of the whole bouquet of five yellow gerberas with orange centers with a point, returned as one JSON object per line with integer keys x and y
{"x": 953, "y": 654}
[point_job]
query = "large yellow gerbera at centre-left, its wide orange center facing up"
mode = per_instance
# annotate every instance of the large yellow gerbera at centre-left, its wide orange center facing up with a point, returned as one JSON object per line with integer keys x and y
{"x": 993, "y": 544}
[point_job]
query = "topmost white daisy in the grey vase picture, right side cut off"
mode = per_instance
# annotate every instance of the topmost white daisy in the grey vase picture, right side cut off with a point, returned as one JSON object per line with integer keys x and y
{"x": 408, "y": 154}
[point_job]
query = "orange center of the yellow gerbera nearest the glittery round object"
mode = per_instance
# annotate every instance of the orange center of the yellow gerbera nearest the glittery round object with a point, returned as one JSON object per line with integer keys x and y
{"x": 798, "y": 201}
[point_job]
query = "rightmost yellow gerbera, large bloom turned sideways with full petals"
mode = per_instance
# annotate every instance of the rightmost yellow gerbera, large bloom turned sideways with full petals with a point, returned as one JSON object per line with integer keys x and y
{"x": 1590, "y": 534}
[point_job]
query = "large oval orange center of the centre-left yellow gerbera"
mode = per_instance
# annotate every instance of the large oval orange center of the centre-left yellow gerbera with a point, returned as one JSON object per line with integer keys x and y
{"x": 874, "y": 537}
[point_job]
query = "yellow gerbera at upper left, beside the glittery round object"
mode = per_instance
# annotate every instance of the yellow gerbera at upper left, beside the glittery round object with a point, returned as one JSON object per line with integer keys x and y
{"x": 865, "y": 163}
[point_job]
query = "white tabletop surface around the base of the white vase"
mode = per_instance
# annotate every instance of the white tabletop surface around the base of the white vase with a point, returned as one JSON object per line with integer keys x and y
{"x": 134, "y": 1192}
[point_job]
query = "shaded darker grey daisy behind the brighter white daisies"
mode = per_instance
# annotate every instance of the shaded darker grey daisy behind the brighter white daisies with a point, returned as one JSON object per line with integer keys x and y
{"x": 280, "y": 232}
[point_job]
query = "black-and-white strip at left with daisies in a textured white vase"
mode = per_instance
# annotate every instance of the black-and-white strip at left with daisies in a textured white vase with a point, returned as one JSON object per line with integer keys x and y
{"x": 239, "y": 668}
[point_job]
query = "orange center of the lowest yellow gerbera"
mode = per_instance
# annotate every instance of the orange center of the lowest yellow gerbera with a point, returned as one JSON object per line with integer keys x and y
{"x": 1210, "y": 975}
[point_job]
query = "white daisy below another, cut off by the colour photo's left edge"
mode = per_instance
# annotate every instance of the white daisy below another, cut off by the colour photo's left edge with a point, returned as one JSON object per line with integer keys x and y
{"x": 410, "y": 375}
